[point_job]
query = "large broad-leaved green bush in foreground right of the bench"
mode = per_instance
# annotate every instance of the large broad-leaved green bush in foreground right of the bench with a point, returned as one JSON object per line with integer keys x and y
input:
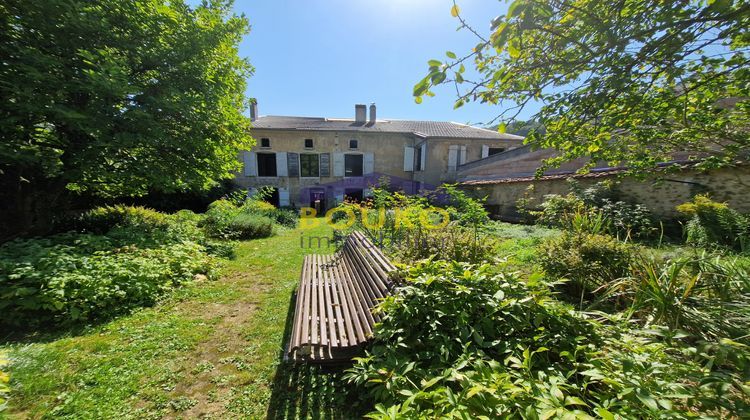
{"x": 488, "y": 345}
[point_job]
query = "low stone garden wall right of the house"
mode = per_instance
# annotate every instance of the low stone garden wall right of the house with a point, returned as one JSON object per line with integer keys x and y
{"x": 660, "y": 194}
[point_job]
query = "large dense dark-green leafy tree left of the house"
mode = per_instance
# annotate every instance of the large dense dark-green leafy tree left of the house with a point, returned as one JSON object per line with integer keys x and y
{"x": 116, "y": 98}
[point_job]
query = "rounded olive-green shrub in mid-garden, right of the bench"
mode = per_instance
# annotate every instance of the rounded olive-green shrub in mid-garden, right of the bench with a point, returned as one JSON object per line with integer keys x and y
{"x": 587, "y": 261}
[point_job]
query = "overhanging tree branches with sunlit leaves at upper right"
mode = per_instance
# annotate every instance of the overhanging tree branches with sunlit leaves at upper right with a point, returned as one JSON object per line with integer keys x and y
{"x": 633, "y": 82}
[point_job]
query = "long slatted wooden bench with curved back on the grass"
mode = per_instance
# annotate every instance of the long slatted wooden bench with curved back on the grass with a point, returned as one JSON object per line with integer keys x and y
{"x": 333, "y": 313}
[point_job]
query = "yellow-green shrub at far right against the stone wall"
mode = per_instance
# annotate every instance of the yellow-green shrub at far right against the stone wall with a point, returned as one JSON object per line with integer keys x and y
{"x": 715, "y": 224}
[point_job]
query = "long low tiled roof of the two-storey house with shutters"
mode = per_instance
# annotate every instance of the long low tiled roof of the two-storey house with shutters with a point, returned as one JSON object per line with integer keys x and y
{"x": 425, "y": 129}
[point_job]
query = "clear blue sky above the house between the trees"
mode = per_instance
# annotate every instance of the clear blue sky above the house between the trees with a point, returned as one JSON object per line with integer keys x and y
{"x": 320, "y": 57}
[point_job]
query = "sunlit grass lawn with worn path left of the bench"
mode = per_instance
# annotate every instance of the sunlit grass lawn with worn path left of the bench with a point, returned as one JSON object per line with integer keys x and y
{"x": 212, "y": 349}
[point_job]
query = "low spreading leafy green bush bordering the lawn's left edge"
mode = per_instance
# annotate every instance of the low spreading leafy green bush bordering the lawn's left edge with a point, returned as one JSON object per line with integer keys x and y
{"x": 71, "y": 277}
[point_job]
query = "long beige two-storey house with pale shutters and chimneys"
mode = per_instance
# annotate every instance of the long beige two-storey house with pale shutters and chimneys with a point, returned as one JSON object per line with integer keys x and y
{"x": 317, "y": 162}
